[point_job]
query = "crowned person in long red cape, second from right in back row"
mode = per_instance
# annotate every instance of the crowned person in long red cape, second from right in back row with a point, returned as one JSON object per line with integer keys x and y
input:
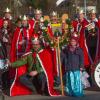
{"x": 79, "y": 27}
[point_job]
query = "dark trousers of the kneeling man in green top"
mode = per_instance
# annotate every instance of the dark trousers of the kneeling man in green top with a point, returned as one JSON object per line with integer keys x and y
{"x": 37, "y": 83}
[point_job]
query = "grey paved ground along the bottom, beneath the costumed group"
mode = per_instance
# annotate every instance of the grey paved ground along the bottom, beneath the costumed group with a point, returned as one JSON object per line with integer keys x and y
{"x": 89, "y": 95}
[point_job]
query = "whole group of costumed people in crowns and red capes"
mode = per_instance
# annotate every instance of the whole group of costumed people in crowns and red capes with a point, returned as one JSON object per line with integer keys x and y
{"x": 42, "y": 51}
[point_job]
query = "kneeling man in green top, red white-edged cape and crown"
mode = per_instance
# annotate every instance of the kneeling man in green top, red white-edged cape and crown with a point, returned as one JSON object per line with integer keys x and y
{"x": 40, "y": 63}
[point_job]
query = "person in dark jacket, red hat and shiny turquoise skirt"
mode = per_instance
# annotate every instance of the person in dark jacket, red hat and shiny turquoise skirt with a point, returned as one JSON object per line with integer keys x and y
{"x": 74, "y": 62}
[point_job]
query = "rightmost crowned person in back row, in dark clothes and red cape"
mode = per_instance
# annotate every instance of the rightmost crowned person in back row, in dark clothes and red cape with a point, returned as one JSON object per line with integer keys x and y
{"x": 93, "y": 38}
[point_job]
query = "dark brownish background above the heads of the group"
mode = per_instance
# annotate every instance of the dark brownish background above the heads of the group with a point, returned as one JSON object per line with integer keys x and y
{"x": 69, "y": 6}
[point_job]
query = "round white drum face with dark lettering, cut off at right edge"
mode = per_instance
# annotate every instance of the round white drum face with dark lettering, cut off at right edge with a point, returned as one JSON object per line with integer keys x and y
{"x": 97, "y": 74}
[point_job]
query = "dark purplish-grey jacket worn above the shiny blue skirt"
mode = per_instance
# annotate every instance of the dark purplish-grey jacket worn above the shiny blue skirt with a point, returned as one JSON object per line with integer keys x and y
{"x": 72, "y": 60}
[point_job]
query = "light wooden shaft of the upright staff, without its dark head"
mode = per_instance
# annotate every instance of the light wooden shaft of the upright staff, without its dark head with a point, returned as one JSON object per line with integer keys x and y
{"x": 59, "y": 63}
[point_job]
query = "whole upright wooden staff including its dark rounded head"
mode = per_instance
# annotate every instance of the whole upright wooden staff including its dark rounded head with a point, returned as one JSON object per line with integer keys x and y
{"x": 57, "y": 33}
